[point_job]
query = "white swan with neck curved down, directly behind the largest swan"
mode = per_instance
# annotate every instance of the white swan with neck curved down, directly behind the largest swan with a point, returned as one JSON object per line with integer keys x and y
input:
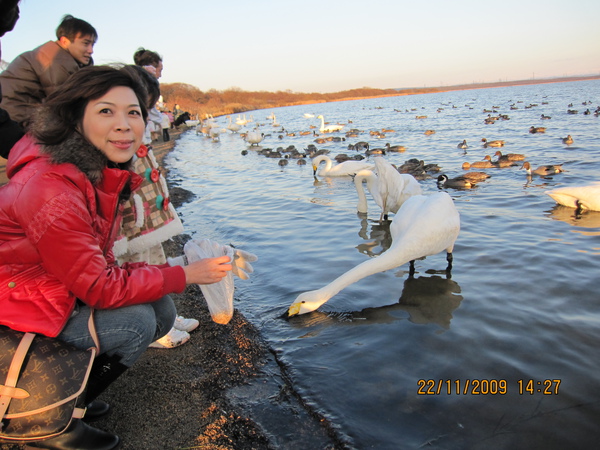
{"x": 389, "y": 188}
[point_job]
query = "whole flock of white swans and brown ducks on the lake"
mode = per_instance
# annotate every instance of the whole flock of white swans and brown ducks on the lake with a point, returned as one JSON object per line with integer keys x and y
{"x": 422, "y": 225}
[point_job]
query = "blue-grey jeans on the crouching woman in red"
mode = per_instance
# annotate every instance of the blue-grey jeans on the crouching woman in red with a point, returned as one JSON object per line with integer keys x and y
{"x": 125, "y": 331}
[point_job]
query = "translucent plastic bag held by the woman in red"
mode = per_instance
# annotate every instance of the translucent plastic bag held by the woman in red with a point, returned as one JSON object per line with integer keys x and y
{"x": 219, "y": 296}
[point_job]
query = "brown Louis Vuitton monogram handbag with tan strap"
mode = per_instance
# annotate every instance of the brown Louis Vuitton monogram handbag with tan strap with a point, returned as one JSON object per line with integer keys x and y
{"x": 42, "y": 382}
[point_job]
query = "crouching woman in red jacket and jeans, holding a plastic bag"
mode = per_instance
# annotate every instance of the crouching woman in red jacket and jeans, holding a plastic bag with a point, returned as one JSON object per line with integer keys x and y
{"x": 68, "y": 178}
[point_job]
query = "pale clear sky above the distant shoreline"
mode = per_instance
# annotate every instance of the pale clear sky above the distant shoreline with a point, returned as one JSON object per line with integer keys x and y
{"x": 331, "y": 45}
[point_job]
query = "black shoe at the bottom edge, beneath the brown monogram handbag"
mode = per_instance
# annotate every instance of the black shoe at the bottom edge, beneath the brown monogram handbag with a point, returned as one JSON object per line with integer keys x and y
{"x": 79, "y": 436}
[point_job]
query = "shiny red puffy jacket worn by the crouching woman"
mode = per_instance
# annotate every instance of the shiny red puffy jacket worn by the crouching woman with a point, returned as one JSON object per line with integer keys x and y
{"x": 56, "y": 234}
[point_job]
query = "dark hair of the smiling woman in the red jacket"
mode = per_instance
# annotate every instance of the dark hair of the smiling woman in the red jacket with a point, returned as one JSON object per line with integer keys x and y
{"x": 61, "y": 114}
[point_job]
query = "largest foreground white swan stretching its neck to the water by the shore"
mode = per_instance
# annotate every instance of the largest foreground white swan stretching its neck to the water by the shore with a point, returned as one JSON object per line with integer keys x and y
{"x": 425, "y": 225}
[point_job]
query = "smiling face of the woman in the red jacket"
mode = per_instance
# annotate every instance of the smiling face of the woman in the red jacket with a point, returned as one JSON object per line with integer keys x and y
{"x": 114, "y": 124}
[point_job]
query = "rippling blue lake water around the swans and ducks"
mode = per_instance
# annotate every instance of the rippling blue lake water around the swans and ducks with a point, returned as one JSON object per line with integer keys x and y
{"x": 379, "y": 358}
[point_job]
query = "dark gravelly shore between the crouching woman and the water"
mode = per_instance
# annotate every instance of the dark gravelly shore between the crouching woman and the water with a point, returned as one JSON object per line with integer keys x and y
{"x": 224, "y": 389}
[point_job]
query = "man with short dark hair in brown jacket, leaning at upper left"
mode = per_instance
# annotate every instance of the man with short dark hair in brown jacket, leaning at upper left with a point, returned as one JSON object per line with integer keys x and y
{"x": 34, "y": 75}
